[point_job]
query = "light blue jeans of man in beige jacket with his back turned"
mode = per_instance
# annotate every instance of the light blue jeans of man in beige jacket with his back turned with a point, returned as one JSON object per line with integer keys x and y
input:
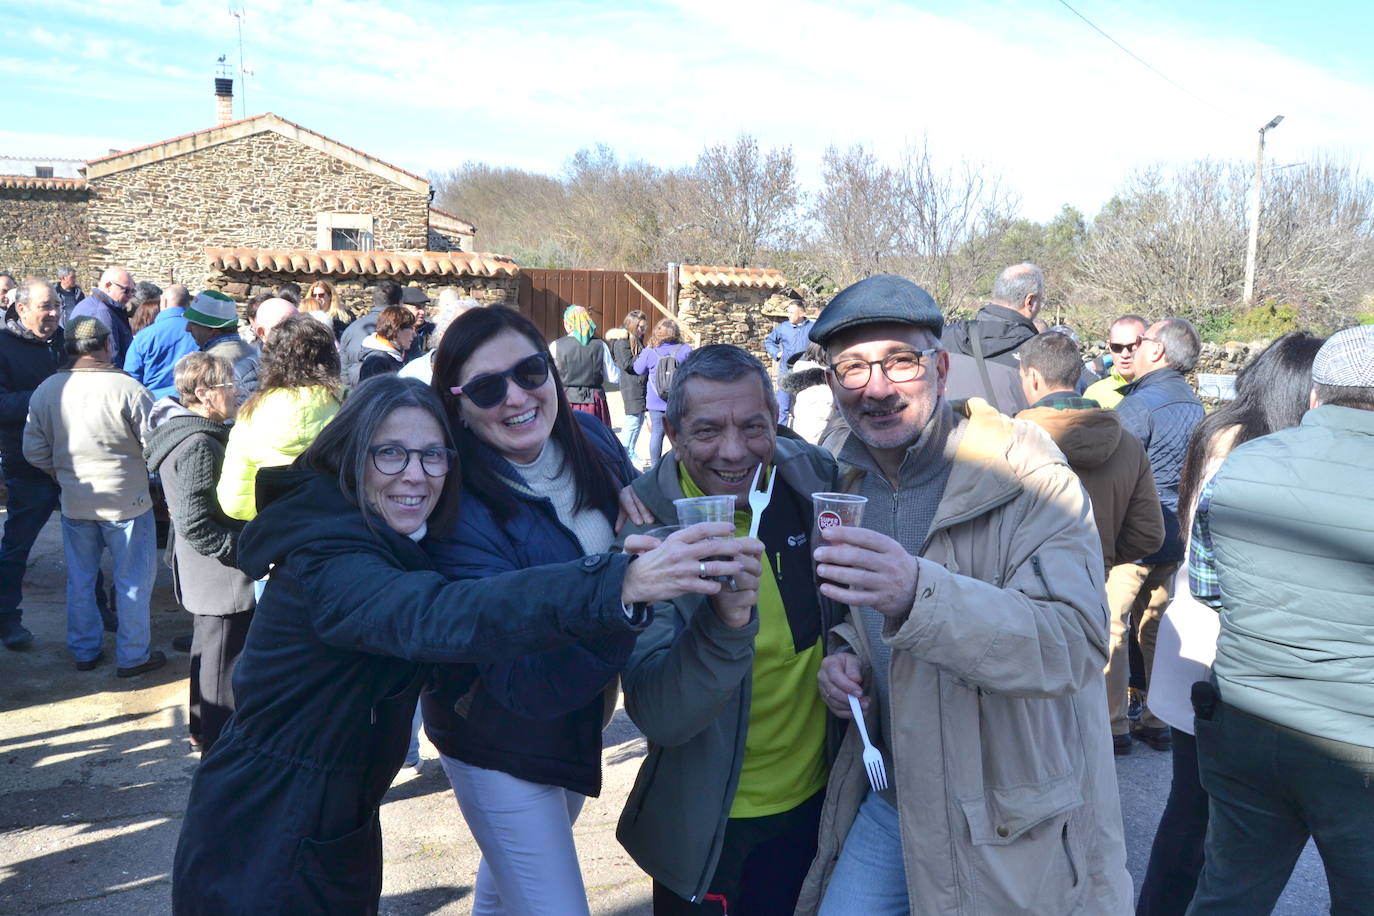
{"x": 134, "y": 550}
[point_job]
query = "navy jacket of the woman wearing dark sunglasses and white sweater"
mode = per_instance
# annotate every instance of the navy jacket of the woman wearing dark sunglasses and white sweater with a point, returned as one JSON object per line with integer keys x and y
{"x": 554, "y": 735}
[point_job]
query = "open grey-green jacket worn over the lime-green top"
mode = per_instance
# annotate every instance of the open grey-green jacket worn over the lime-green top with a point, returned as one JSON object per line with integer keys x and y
{"x": 689, "y": 683}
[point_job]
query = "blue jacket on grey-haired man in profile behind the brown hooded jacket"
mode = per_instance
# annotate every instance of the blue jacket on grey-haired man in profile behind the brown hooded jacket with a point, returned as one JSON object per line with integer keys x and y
{"x": 1162, "y": 409}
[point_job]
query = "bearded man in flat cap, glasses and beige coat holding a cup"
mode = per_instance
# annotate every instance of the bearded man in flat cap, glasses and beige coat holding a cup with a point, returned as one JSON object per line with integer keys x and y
{"x": 975, "y": 638}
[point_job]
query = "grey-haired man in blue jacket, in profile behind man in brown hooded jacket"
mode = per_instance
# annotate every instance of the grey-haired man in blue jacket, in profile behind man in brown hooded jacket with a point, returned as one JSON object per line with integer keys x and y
{"x": 1160, "y": 409}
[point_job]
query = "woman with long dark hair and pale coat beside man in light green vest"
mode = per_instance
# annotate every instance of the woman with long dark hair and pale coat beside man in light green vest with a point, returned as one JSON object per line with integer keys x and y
{"x": 1272, "y": 393}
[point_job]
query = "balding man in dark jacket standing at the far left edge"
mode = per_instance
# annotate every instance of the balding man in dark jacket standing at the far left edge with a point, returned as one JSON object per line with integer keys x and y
{"x": 31, "y": 351}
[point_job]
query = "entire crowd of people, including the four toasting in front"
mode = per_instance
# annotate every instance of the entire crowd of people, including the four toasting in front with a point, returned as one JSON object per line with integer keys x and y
{"x": 392, "y": 521}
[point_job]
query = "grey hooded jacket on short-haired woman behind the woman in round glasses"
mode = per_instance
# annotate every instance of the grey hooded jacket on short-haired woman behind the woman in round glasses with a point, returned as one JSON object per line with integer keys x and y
{"x": 186, "y": 451}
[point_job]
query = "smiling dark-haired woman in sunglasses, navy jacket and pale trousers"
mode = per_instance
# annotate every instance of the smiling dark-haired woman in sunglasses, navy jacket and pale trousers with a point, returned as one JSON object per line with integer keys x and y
{"x": 541, "y": 485}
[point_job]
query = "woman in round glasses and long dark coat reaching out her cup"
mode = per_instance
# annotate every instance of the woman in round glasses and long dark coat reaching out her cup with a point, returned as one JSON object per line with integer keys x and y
{"x": 284, "y": 810}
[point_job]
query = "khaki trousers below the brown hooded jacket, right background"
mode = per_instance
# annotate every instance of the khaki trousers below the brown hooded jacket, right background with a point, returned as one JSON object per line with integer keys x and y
{"x": 1137, "y": 595}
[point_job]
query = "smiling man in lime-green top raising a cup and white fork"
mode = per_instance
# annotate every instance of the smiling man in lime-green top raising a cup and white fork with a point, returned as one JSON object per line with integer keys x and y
{"x": 725, "y": 811}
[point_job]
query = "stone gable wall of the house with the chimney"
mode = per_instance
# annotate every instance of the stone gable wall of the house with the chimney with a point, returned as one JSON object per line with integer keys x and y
{"x": 262, "y": 192}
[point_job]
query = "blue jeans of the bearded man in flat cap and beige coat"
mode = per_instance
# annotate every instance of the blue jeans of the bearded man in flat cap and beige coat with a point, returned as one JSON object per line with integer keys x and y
{"x": 870, "y": 878}
